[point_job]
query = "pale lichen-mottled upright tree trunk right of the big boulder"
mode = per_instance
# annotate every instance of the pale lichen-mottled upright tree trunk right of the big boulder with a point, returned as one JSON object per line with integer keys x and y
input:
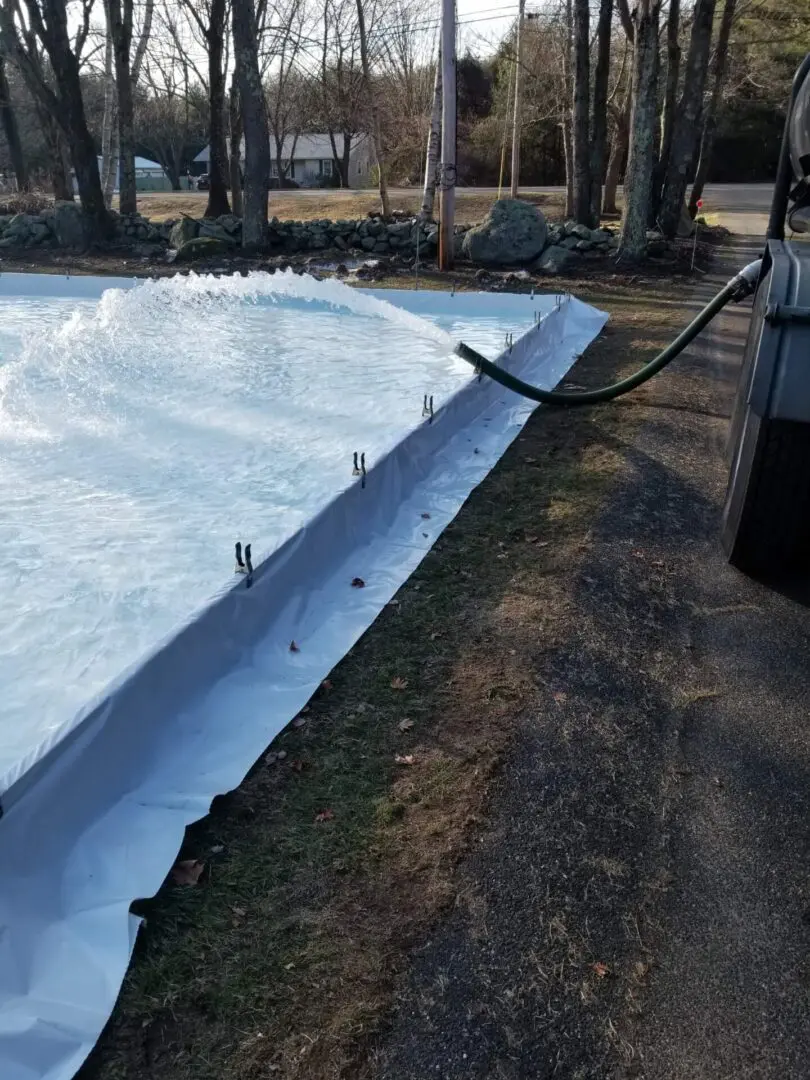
{"x": 639, "y": 173}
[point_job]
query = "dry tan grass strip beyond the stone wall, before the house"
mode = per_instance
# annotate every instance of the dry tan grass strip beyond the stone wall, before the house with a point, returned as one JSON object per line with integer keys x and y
{"x": 308, "y": 207}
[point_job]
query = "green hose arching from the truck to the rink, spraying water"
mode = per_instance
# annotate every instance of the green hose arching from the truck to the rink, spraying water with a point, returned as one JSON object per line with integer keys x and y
{"x": 740, "y": 287}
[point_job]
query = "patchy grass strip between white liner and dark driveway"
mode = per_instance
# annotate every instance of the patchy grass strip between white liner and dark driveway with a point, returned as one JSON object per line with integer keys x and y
{"x": 330, "y": 865}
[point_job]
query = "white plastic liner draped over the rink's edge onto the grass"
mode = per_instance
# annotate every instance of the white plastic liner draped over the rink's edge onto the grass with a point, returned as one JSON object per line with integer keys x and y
{"x": 98, "y": 821}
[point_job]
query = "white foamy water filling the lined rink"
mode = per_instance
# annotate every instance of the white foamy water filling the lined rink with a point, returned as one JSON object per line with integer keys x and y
{"x": 141, "y": 436}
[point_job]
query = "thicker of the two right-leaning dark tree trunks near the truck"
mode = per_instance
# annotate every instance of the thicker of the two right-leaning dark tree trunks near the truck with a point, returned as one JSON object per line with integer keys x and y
{"x": 686, "y": 132}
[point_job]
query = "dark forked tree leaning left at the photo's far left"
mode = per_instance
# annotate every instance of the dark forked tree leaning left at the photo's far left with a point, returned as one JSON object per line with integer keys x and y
{"x": 45, "y": 24}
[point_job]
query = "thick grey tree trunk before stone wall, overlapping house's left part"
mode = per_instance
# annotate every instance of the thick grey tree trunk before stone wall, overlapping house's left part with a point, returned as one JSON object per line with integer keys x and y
{"x": 254, "y": 117}
